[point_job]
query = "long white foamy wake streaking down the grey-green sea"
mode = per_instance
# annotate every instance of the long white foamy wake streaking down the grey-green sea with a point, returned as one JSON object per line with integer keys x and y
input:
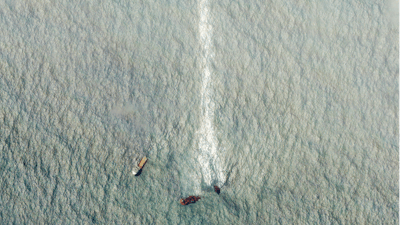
{"x": 208, "y": 157}
